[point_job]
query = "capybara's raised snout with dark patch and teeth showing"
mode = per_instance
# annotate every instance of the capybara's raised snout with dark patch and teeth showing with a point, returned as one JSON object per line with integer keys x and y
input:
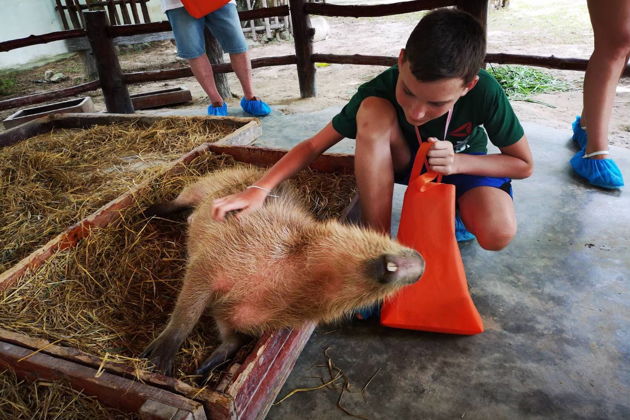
{"x": 400, "y": 269}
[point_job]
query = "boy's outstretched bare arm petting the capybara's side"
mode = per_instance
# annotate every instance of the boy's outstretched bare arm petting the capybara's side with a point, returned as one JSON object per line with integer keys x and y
{"x": 300, "y": 156}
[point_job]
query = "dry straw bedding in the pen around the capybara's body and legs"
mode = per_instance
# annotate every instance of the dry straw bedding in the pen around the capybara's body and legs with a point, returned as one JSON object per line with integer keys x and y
{"x": 113, "y": 293}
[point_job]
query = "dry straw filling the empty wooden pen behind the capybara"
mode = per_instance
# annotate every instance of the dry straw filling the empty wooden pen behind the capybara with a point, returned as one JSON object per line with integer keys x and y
{"x": 50, "y": 181}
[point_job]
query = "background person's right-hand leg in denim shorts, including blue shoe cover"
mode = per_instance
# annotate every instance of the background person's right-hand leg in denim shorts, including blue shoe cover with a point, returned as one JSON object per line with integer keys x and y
{"x": 225, "y": 26}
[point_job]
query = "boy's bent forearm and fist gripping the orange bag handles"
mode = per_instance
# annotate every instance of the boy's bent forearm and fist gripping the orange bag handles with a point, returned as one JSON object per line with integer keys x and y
{"x": 514, "y": 161}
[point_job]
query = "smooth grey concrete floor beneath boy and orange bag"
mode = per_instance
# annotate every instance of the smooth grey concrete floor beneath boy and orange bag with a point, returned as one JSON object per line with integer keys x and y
{"x": 555, "y": 304}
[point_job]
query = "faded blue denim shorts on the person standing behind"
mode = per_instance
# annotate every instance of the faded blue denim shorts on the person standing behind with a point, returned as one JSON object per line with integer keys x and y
{"x": 224, "y": 25}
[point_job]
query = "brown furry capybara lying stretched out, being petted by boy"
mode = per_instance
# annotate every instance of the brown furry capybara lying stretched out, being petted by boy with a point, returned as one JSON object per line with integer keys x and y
{"x": 272, "y": 268}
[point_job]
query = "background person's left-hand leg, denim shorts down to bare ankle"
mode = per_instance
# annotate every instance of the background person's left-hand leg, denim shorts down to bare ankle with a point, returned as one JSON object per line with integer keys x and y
{"x": 188, "y": 33}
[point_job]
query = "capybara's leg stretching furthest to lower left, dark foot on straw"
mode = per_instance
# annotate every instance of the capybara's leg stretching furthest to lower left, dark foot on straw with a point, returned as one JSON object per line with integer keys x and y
{"x": 190, "y": 305}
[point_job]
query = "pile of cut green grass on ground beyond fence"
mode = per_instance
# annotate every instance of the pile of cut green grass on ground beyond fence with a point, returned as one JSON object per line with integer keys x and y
{"x": 520, "y": 82}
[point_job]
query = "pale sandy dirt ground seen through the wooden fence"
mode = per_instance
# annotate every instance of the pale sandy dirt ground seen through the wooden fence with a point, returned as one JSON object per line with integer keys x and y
{"x": 528, "y": 27}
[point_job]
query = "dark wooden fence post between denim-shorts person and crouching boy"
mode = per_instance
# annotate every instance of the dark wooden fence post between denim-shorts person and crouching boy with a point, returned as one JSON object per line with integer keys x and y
{"x": 303, "y": 36}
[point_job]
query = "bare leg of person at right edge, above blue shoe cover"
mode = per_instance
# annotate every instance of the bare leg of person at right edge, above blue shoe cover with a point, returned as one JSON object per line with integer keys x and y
{"x": 611, "y": 27}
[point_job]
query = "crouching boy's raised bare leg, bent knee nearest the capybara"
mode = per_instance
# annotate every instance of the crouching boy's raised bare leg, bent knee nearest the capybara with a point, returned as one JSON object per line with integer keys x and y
{"x": 381, "y": 150}
